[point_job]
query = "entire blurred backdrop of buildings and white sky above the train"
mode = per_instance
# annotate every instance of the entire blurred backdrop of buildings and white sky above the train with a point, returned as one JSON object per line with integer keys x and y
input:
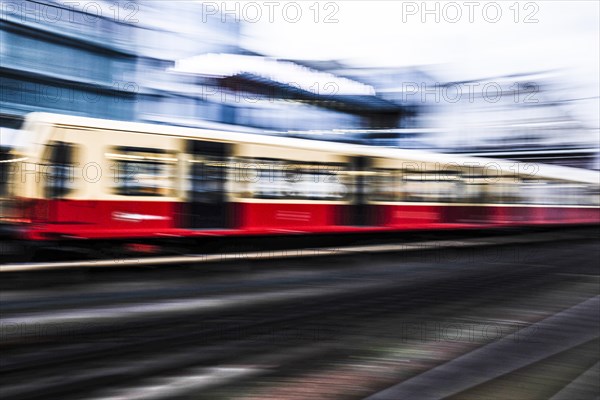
{"x": 516, "y": 81}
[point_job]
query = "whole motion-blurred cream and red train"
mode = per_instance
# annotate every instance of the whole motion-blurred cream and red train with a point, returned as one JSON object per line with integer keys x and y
{"x": 93, "y": 181}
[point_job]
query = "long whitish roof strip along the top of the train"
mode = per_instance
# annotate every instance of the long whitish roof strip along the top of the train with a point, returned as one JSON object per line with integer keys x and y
{"x": 508, "y": 167}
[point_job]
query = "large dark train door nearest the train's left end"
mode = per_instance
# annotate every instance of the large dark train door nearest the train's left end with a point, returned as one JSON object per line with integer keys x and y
{"x": 206, "y": 206}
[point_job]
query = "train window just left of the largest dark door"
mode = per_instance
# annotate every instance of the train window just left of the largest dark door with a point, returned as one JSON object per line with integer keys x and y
{"x": 142, "y": 171}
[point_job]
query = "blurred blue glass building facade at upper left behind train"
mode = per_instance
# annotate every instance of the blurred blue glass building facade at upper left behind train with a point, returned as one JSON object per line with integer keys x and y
{"x": 105, "y": 59}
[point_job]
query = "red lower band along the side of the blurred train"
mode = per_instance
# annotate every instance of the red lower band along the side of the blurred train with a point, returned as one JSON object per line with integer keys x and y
{"x": 80, "y": 219}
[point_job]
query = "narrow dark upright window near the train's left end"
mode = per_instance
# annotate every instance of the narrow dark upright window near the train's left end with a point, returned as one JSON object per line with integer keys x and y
{"x": 59, "y": 172}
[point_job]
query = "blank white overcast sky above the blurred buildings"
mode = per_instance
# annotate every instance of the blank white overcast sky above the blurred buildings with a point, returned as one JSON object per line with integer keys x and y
{"x": 561, "y": 35}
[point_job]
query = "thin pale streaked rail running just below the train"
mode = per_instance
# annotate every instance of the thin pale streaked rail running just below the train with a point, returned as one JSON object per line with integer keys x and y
{"x": 360, "y": 245}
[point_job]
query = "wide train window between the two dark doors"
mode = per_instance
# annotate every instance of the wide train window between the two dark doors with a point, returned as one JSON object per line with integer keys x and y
{"x": 278, "y": 179}
